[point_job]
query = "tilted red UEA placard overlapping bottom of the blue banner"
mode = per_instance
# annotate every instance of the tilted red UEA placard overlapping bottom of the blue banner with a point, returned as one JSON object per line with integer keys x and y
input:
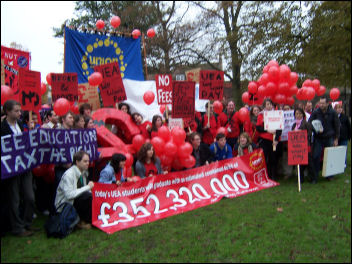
{"x": 112, "y": 90}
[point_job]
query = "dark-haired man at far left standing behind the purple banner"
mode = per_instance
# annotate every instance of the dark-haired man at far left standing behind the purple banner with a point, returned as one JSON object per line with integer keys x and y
{"x": 13, "y": 187}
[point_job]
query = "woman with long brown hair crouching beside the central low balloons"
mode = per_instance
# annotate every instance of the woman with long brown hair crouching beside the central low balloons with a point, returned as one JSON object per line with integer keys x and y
{"x": 148, "y": 164}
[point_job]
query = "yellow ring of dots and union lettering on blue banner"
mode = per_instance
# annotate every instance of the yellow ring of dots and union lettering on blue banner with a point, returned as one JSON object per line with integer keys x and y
{"x": 89, "y": 60}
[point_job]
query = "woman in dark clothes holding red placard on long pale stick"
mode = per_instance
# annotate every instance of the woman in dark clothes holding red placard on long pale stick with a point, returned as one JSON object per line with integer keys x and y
{"x": 302, "y": 124}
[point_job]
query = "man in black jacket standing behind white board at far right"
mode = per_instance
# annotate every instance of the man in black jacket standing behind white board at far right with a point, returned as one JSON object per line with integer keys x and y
{"x": 326, "y": 138}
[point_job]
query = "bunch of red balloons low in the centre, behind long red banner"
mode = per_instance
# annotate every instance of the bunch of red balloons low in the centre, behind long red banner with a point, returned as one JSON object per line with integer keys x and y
{"x": 170, "y": 147}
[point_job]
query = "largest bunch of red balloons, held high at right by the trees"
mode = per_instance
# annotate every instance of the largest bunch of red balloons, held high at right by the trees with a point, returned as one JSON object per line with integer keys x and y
{"x": 277, "y": 82}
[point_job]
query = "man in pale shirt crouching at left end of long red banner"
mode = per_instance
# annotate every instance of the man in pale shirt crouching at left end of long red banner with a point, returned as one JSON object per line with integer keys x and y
{"x": 73, "y": 188}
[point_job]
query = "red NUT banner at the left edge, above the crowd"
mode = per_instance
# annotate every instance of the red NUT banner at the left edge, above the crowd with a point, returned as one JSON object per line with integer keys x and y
{"x": 14, "y": 60}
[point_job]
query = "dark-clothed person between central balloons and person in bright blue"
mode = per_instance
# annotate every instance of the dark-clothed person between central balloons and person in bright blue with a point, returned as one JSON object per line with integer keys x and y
{"x": 201, "y": 151}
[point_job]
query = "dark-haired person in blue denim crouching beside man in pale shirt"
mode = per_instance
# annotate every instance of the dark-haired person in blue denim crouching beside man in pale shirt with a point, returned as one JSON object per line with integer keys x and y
{"x": 114, "y": 170}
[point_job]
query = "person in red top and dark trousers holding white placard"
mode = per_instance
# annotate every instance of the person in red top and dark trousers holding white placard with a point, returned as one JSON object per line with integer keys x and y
{"x": 268, "y": 140}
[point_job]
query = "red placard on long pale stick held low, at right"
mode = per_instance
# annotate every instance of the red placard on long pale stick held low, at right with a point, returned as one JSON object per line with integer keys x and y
{"x": 297, "y": 147}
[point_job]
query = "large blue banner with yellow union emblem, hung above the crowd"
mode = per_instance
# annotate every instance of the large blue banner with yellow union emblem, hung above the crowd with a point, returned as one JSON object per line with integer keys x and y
{"x": 83, "y": 51}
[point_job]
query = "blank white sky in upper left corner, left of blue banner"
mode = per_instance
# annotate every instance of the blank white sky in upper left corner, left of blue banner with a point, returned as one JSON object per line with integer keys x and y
{"x": 30, "y": 24}
